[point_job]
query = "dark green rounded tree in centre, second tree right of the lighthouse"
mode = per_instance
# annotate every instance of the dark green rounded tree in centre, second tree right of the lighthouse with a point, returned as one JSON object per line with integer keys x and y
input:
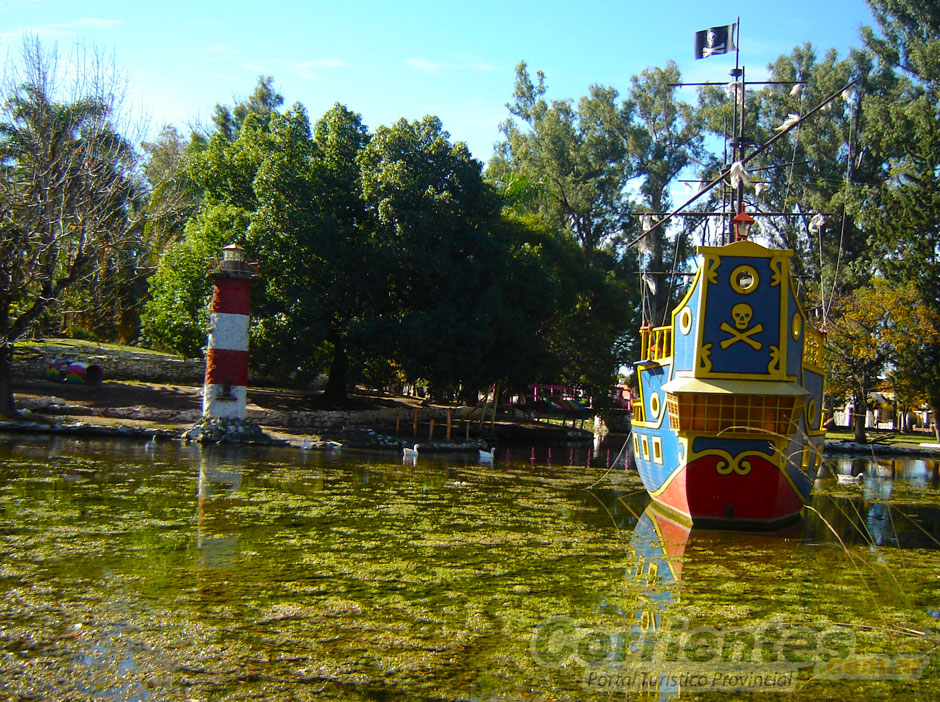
{"x": 435, "y": 218}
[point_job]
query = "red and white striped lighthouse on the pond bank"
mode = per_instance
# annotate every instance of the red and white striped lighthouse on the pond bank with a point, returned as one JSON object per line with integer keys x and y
{"x": 223, "y": 393}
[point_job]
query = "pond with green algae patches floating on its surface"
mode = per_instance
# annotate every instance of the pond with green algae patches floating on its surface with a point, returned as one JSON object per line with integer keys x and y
{"x": 136, "y": 571}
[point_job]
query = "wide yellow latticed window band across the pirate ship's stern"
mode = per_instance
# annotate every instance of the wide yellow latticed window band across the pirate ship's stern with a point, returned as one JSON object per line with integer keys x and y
{"x": 716, "y": 413}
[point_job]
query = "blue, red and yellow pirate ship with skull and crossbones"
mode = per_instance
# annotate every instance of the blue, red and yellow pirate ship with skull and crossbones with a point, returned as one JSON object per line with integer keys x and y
{"x": 727, "y": 429}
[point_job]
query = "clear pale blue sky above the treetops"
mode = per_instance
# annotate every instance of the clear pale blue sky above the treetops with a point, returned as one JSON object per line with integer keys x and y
{"x": 405, "y": 58}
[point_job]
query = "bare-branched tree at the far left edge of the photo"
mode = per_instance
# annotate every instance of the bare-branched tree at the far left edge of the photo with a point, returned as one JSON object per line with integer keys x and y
{"x": 67, "y": 186}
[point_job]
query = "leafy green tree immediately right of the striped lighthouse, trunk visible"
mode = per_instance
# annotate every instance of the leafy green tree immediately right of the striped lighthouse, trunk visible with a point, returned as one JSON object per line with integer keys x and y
{"x": 314, "y": 240}
